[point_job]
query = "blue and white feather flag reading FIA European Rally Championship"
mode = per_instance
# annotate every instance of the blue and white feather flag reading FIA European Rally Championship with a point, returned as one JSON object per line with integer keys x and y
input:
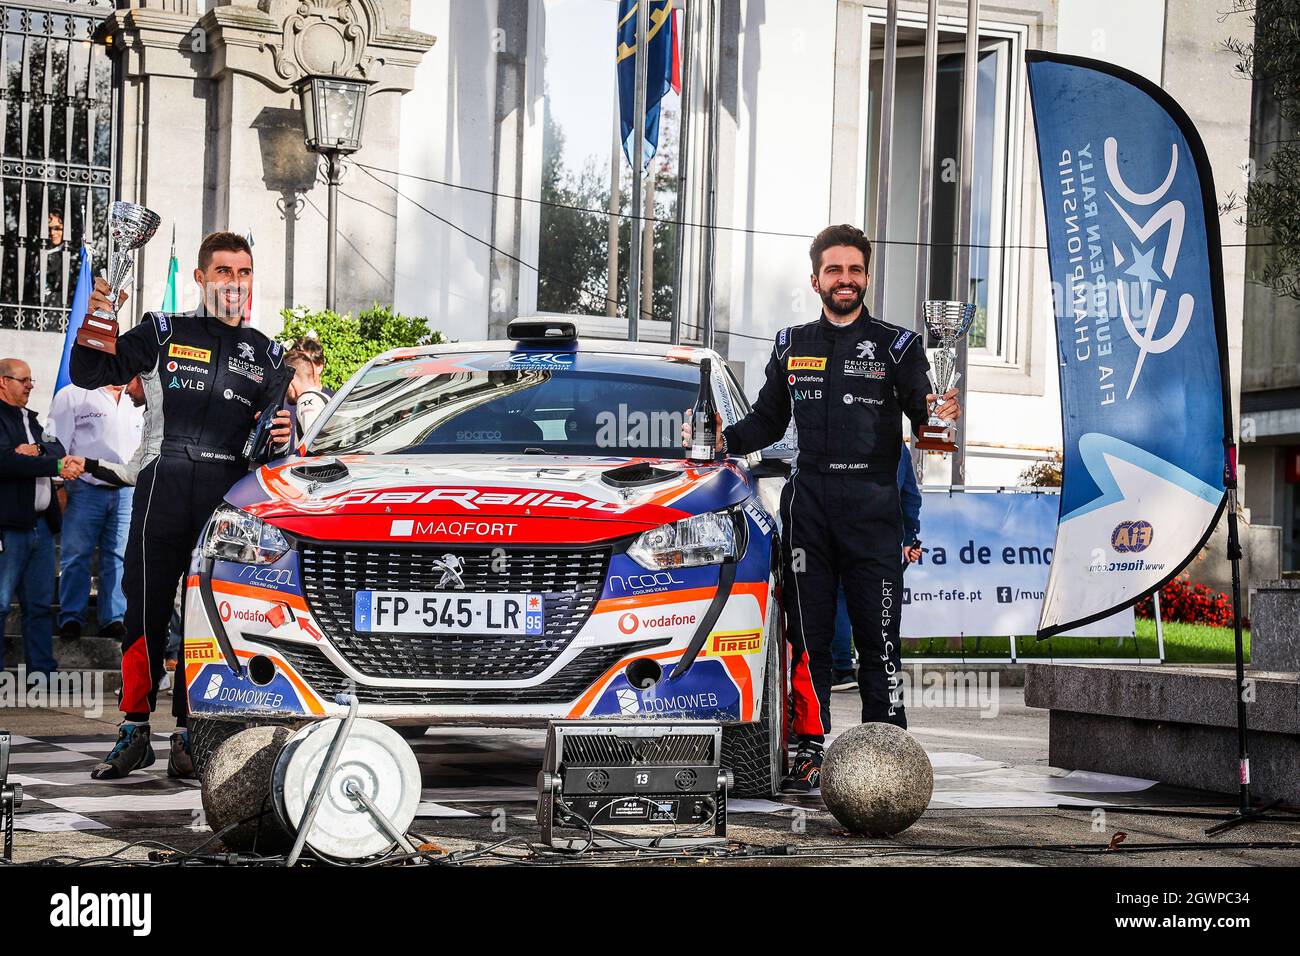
{"x": 1138, "y": 285}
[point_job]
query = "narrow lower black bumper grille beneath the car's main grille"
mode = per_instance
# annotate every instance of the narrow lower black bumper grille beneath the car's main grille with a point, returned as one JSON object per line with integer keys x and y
{"x": 565, "y": 687}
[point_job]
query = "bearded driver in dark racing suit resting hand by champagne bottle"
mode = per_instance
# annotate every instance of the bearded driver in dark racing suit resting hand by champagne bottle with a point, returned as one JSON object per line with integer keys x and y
{"x": 847, "y": 379}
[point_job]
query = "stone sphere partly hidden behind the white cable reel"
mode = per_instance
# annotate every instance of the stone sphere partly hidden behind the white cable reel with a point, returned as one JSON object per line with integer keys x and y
{"x": 237, "y": 788}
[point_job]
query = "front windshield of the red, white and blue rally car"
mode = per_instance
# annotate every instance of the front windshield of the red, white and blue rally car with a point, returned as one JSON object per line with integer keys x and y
{"x": 523, "y": 403}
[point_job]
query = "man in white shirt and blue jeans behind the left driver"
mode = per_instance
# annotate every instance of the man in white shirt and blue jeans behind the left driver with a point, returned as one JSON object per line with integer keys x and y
{"x": 101, "y": 425}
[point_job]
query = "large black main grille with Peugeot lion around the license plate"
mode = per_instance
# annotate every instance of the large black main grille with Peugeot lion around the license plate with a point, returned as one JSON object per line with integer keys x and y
{"x": 570, "y": 581}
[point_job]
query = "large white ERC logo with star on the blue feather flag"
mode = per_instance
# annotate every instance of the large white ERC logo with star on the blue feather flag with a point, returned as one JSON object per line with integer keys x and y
{"x": 1172, "y": 214}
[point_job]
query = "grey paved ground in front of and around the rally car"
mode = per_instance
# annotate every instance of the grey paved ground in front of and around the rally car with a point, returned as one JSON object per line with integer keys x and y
{"x": 994, "y": 790}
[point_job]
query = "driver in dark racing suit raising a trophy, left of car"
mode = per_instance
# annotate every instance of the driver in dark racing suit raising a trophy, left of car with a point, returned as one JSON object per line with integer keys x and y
{"x": 207, "y": 379}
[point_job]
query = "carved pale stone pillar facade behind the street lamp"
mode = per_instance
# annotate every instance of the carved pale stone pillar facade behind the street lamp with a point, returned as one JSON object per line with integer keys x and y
{"x": 213, "y": 139}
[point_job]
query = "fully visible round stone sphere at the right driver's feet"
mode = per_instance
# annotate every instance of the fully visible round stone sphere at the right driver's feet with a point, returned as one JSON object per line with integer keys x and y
{"x": 877, "y": 780}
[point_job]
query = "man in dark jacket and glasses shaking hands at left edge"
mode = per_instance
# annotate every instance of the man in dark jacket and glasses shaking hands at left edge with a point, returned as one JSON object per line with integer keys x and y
{"x": 29, "y": 513}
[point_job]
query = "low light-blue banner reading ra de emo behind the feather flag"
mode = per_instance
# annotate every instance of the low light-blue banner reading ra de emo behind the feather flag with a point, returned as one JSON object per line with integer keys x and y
{"x": 986, "y": 568}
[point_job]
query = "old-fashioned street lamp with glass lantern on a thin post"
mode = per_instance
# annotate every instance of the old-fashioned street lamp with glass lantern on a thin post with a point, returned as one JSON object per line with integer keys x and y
{"x": 333, "y": 115}
